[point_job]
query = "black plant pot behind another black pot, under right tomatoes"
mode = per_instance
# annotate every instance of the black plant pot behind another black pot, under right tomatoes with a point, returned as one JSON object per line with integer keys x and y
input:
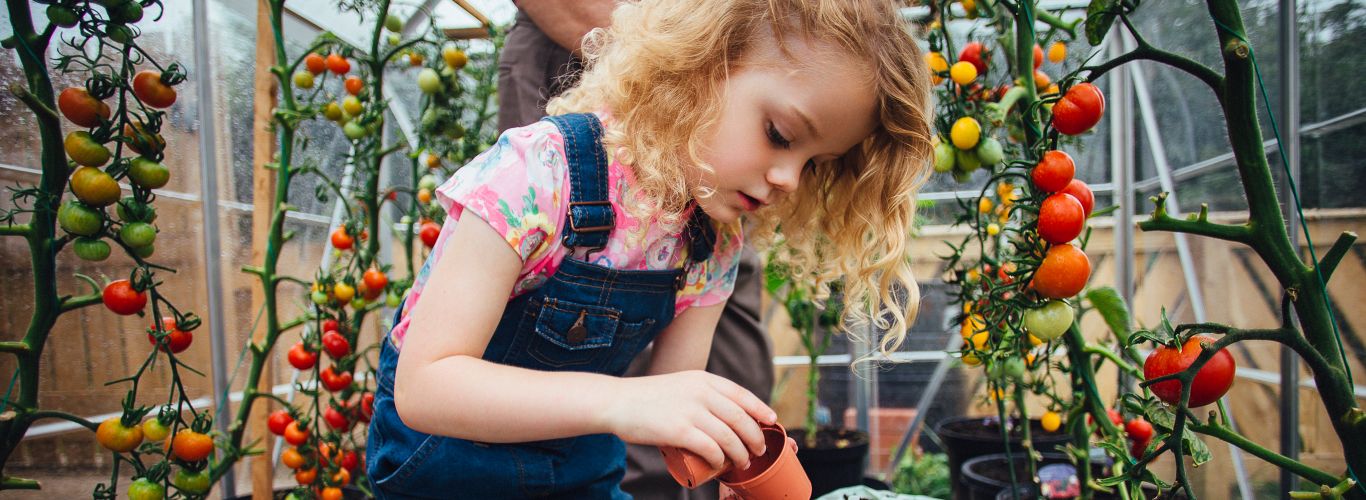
{"x": 968, "y": 438}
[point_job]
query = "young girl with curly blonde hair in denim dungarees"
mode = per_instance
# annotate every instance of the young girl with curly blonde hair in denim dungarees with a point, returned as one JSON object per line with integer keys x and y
{"x": 579, "y": 241}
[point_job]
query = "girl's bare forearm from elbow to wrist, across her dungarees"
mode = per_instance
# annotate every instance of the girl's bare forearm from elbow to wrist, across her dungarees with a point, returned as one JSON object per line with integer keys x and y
{"x": 482, "y": 401}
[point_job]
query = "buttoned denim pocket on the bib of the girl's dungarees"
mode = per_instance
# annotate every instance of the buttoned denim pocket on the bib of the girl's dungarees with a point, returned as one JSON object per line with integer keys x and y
{"x": 573, "y": 335}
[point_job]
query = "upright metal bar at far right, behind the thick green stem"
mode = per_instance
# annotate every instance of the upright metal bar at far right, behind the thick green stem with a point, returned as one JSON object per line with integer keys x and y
{"x": 1290, "y": 148}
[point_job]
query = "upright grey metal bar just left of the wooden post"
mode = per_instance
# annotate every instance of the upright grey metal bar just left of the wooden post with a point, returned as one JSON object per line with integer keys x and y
{"x": 212, "y": 236}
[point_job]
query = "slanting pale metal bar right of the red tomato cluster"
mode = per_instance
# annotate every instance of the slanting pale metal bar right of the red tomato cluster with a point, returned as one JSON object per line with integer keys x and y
{"x": 1165, "y": 176}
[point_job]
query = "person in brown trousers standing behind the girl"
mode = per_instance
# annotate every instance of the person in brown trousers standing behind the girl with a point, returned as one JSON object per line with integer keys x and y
{"x": 539, "y": 61}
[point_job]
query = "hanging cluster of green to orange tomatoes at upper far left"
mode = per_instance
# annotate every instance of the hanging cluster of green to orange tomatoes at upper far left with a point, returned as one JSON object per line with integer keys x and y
{"x": 95, "y": 180}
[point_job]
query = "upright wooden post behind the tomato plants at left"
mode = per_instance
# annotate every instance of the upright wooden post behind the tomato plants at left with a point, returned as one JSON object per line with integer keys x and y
{"x": 263, "y": 202}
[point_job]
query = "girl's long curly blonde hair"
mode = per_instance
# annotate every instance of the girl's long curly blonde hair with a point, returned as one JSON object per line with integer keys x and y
{"x": 660, "y": 72}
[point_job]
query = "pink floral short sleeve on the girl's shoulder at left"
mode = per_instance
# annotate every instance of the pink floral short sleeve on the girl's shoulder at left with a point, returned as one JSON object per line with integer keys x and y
{"x": 517, "y": 186}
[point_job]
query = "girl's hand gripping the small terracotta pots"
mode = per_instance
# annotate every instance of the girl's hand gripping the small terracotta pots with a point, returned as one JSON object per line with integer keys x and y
{"x": 696, "y": 411}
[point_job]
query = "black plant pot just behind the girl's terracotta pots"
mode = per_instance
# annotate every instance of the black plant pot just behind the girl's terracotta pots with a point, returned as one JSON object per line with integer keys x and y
{"x": 833, "y": 468}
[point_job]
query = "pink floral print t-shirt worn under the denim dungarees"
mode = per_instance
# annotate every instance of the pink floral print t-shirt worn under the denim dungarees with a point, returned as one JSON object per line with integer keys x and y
{"x": 521, "y": 188}
